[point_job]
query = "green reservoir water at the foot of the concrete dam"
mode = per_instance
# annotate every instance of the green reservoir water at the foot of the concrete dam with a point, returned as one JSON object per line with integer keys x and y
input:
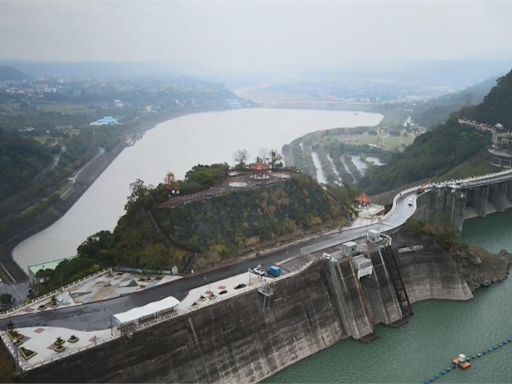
{"x": 438, "y": 331}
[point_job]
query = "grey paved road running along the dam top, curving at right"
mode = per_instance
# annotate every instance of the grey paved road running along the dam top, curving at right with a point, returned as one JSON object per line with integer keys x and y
{"x": 96, "y": 316}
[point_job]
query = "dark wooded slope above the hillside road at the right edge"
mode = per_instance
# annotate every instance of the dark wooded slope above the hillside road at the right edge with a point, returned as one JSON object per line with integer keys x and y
{"x": 497, "y": 105}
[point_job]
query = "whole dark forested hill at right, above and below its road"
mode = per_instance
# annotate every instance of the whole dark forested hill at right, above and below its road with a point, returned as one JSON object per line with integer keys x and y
{"x": 447, "y": 146}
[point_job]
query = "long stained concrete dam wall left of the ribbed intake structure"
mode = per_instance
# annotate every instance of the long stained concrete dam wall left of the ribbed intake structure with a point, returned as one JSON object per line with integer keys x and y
{"x": 233, "y": 341}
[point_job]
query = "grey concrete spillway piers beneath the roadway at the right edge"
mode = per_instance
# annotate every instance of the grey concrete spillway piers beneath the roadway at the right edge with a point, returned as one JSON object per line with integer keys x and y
{"x": 458, "y": 200}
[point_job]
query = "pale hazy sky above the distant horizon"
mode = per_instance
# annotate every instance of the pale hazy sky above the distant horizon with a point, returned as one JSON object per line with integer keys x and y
{"x": 250, "y": 36}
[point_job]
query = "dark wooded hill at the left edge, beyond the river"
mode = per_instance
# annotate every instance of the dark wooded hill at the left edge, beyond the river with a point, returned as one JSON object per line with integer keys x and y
{"x": 21, "y": 160}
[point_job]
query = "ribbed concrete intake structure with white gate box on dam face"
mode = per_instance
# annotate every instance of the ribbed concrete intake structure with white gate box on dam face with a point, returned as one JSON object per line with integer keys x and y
{"x": 367, "y": 285}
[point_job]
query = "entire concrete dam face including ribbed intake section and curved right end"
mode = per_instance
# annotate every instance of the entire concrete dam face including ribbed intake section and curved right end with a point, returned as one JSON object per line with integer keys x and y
{"x": 251, "y": 336}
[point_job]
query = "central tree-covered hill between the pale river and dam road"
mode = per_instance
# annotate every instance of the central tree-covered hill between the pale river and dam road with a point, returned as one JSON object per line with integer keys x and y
{"x": 211, "y": 228}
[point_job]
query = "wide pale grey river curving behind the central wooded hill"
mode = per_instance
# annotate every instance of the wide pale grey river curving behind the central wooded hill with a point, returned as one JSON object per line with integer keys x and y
{"x": 176, "y": 145}
